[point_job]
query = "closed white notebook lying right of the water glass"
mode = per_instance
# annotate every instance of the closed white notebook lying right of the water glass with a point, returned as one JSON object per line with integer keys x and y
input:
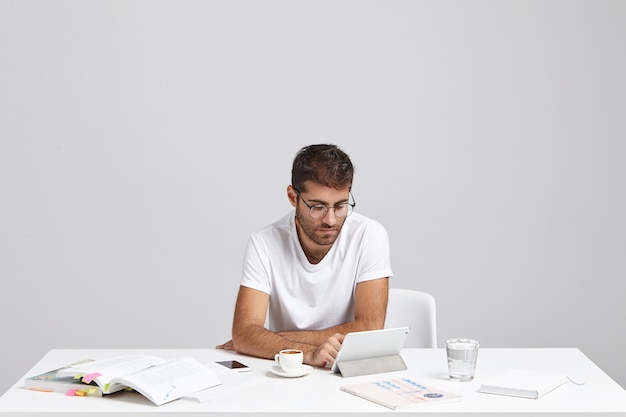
{"x": 522, "y": 383}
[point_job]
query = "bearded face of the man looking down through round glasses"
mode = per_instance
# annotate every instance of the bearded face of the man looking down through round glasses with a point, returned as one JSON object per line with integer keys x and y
{"x": 323, "y": 231}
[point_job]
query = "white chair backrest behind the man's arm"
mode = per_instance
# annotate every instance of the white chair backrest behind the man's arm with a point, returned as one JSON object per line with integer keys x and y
{"x": 415, "y": 309}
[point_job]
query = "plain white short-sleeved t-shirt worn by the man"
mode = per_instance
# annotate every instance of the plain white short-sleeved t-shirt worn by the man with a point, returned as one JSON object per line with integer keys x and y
{"x": 312, "y": 297}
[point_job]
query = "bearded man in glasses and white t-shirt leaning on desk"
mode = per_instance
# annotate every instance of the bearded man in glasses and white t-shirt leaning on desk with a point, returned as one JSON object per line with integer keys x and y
{"x": 322, "y": 270}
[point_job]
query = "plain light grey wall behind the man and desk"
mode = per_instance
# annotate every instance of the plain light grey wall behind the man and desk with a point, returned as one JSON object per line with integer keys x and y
{"x": 141, "y": 142}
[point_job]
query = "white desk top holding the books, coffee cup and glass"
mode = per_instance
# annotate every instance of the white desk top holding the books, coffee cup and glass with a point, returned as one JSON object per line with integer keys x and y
{"x": 319, "y": 392}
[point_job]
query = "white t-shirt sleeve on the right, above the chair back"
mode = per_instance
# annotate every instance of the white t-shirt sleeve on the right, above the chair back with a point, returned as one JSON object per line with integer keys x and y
{"x": 375, "y": 259}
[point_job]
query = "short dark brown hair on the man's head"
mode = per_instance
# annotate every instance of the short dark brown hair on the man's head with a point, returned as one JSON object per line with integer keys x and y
{"x": 324, "y": 164}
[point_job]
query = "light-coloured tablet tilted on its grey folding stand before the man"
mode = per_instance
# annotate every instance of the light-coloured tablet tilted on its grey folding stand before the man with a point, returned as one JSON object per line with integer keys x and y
{"x": 371, "y": 344}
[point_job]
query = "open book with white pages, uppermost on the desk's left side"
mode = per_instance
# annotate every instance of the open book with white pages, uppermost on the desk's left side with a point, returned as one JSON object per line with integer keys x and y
{"x": 158, "y": 379}
